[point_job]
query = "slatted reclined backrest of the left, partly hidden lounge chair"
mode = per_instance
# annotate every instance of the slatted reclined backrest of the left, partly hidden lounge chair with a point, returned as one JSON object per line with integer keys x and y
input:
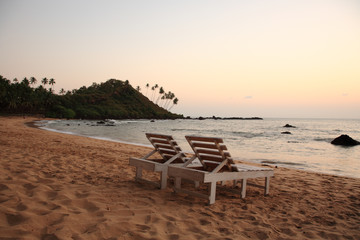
{"x": 166, "y": 146}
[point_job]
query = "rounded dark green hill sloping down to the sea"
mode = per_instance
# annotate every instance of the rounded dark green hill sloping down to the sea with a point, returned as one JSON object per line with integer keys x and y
{"x": 111, "y": 99}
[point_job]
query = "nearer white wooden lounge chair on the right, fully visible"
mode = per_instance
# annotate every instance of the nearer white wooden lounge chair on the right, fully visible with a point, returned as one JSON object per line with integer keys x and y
{"x": 216, "y": 166}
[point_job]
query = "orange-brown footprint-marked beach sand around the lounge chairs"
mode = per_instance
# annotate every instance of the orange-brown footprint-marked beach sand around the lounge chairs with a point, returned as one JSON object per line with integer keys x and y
{"x": 57, "y": 186}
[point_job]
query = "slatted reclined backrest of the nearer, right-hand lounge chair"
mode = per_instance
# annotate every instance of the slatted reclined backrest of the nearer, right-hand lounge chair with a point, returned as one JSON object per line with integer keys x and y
{"x": 211, "y": 152}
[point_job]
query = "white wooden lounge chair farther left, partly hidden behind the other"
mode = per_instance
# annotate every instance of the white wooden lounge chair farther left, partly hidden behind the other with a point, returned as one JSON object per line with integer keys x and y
{"x": 170, "y": 153}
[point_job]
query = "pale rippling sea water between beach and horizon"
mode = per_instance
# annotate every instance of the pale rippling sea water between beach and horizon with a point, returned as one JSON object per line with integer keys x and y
{"x": 306, "y": 148}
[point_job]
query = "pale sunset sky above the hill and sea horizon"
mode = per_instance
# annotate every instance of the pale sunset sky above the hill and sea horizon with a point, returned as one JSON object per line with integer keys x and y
{"x": 224, "y": 58}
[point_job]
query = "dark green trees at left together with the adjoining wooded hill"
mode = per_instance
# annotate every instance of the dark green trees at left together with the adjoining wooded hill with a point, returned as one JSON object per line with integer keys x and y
{"x": 111, "y": 99}
